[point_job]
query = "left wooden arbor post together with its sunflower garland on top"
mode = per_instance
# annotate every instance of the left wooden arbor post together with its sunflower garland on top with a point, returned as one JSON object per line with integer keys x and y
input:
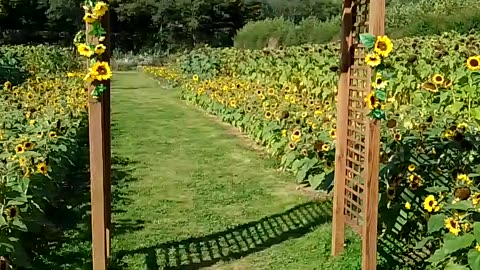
{"x": 96, "y": 48}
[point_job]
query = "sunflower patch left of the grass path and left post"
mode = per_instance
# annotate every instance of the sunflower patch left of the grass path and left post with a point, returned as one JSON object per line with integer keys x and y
{"x": 42, "y": 130}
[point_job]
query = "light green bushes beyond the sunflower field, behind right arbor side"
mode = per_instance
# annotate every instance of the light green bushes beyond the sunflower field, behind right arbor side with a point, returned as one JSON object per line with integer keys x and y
{"x": 404, "y": 18}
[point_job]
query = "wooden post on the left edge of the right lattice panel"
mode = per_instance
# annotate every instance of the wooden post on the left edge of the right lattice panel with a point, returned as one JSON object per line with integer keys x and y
{"x": 338, "y": 222}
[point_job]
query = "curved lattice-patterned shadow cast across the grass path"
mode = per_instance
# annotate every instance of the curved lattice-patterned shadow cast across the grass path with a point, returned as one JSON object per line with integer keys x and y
{"x": 232, "y": 243}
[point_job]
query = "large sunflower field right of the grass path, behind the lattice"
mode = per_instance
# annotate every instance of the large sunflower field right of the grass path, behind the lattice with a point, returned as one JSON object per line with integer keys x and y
{"x": 285, "y": 99}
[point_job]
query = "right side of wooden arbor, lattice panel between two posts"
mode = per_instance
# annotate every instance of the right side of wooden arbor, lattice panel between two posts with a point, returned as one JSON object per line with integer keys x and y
{"x": 358, "y": 136}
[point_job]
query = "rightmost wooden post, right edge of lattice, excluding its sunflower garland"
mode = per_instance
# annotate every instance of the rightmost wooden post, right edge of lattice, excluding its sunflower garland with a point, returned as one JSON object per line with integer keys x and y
{"x": 372, "y": 159}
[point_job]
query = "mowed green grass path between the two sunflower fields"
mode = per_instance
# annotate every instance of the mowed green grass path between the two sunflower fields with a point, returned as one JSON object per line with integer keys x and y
{"x": 191, "y": 193}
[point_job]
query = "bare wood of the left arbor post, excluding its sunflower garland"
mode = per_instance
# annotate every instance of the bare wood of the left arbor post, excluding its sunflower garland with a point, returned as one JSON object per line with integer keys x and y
{"x": 99, "y": 140}
